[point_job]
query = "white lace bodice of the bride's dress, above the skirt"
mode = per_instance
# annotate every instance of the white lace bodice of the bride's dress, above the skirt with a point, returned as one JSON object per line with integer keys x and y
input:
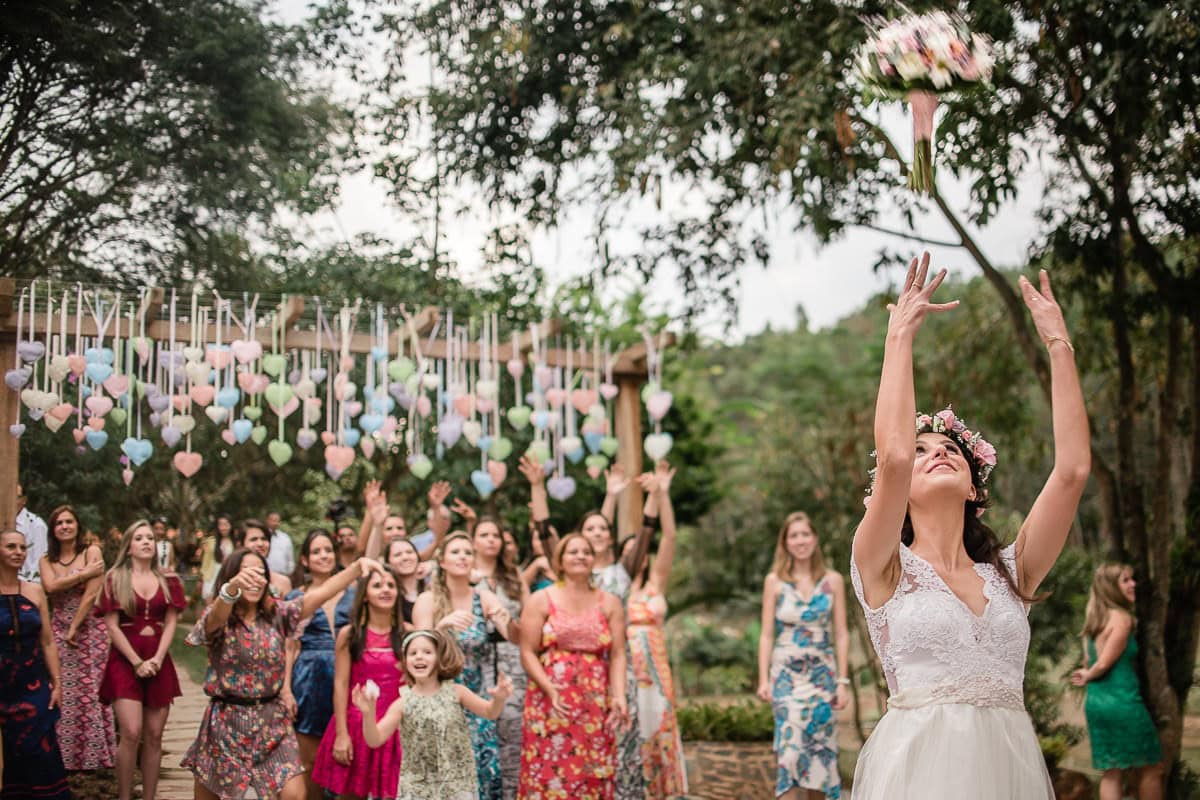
{"x": 935, "y": 649}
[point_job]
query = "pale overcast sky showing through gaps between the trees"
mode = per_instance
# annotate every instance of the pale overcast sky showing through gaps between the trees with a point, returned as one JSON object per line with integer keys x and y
{"x": 826, "y": 282}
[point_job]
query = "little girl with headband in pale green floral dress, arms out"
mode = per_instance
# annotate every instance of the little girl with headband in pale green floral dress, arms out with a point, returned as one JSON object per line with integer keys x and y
{"x": 440, "y": 763}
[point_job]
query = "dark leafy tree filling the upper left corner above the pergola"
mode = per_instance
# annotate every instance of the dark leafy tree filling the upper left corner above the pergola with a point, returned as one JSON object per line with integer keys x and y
{"x": 154, "y": 141}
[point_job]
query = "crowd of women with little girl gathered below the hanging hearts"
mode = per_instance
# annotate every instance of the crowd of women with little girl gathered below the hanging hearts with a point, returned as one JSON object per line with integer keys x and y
{"x": 370, "y": 672}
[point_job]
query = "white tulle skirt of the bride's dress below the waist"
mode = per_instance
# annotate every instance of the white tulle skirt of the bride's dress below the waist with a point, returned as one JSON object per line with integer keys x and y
{"x": 952, "y": 751}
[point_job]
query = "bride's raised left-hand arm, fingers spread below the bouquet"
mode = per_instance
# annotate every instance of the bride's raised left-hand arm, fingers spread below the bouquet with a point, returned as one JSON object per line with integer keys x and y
{"x": 878, "y": 539}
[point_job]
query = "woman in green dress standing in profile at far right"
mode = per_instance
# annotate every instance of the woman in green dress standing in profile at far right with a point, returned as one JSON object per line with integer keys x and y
{"x": 1123, "y": 735}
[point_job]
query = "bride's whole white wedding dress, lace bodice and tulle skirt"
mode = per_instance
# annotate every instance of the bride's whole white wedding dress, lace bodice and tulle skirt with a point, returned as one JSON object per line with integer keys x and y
{"x": 956, "y": 725}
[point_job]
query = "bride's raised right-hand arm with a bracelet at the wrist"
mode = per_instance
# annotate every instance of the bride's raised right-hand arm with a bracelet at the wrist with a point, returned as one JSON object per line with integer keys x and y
{"x": 1046, "y": 530}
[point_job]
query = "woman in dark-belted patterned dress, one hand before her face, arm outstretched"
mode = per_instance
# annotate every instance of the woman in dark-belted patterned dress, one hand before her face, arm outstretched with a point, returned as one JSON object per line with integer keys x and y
{"x": 247, "y": 741}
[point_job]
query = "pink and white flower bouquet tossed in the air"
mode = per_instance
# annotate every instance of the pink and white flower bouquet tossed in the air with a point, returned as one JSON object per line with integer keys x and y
{"x": 920, "y": 57}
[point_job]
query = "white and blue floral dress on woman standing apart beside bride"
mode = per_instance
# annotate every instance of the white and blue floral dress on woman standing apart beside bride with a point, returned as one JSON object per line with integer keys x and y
{"x": 805, "y": 683}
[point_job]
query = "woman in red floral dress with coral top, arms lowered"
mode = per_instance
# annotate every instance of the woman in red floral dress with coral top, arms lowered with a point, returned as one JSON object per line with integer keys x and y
{"x": 574, "y": 653}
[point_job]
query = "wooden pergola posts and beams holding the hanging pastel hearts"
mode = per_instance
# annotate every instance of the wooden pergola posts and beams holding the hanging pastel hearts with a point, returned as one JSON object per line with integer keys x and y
{"x": 629, "y": 369}
